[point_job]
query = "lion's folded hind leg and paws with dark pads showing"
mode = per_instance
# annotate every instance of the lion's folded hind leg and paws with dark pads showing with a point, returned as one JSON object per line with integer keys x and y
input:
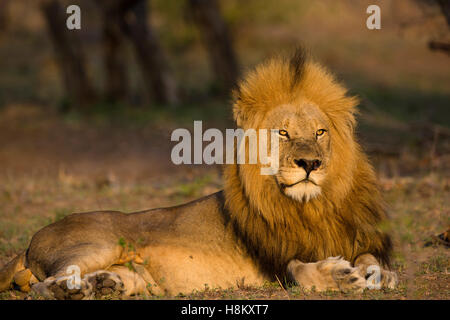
{"x": 100, "y": 273}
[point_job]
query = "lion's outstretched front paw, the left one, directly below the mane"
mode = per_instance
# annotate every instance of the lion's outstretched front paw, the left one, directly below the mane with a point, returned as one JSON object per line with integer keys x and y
{"x": 333, "y": 273}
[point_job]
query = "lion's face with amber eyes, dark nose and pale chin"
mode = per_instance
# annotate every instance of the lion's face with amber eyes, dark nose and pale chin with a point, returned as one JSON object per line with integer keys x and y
{"x": 304, "y": 149}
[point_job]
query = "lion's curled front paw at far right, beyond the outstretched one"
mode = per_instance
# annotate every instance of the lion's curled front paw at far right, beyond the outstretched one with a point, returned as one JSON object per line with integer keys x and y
{"x": 371, "y": 269}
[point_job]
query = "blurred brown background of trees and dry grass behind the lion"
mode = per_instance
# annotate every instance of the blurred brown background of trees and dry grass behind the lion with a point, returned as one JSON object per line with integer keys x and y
{"x": 86, "y": 115}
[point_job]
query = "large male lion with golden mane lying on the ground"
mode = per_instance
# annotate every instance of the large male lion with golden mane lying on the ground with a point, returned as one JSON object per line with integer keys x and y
{"x": 317, "y": 222}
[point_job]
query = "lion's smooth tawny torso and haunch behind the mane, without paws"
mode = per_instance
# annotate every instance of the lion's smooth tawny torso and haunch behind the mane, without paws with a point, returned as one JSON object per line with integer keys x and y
{"x": 183, "y": 248}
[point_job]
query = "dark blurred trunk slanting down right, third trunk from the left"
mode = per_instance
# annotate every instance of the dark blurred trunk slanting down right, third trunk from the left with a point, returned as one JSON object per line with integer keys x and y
{"x": 151, "y": 58}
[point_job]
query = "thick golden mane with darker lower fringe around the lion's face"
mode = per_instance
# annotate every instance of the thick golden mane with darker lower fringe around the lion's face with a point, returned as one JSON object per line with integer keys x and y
{"x": 345, "y": 219}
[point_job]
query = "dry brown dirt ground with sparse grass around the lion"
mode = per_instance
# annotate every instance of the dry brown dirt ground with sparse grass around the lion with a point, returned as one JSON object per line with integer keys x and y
{"x": 51, "y": 166}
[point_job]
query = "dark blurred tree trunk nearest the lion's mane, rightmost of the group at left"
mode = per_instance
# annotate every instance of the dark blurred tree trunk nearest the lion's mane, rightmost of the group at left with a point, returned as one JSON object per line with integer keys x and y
{"x": 206, "y": 15}
